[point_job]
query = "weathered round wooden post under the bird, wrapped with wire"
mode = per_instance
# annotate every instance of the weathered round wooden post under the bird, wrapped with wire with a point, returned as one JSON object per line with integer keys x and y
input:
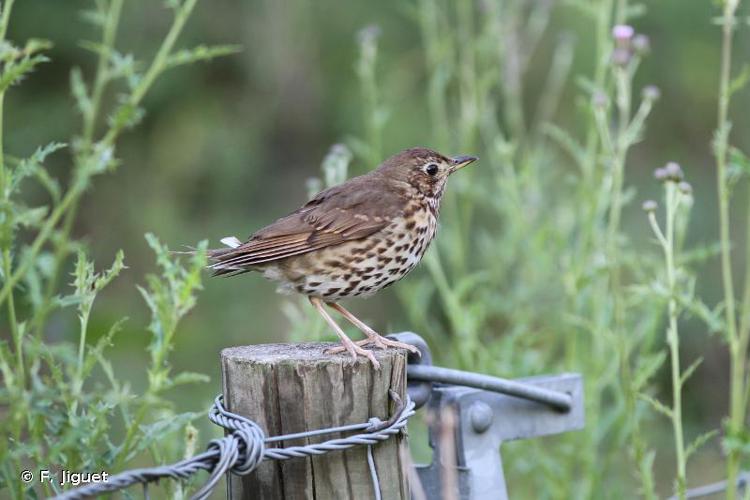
{"x": 288, "y": 388}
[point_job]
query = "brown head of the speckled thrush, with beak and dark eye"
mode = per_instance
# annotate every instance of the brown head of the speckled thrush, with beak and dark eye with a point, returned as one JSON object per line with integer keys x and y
{"x": 424, "y": 169}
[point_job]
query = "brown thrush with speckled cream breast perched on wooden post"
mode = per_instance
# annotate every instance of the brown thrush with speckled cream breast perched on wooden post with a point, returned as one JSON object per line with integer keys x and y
{"x": 350, "y": 240}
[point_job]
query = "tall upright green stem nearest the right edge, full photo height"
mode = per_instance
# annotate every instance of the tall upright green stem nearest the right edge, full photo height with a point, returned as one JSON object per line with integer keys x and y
{"x": 737, "y": 343}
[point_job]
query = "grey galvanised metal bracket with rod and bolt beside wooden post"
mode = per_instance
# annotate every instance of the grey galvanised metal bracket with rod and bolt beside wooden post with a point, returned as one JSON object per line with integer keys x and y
{"x": 466, "y": 453}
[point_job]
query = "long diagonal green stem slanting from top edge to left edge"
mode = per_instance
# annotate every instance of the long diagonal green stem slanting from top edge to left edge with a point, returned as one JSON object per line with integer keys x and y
{"x": 77, "y": 188}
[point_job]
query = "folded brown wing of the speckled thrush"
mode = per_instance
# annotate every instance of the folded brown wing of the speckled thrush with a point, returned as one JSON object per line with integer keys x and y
{"x": 350, "y": 211}
